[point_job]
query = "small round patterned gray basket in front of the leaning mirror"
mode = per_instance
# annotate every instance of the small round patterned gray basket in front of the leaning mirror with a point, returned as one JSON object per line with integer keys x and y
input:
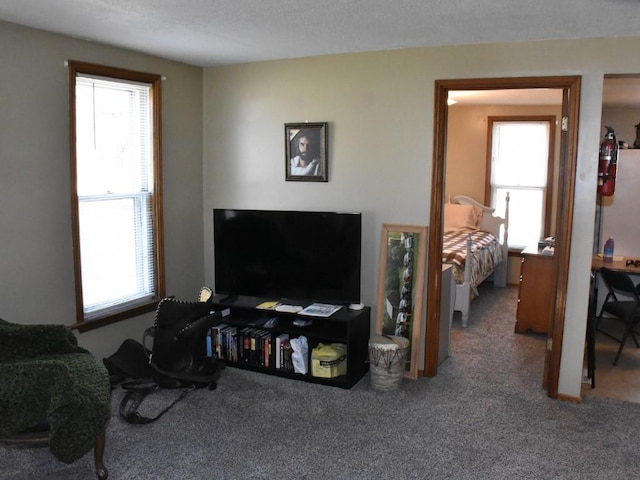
{"x": 387, "y": 359}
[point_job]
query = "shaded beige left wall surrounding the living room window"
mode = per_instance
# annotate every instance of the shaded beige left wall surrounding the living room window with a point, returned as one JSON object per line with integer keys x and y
{"x": 36, "y": 262}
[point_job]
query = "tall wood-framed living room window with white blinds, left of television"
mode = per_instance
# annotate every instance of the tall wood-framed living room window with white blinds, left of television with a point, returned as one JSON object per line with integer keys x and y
{"x": 115, "y": 190}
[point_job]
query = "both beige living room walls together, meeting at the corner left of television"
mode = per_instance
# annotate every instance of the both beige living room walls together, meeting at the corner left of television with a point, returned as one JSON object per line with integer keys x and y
{"x": 380, "y": 112}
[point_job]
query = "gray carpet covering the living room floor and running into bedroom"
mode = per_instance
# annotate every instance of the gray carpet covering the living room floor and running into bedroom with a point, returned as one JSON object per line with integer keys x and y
{"x": 485, "y": 416}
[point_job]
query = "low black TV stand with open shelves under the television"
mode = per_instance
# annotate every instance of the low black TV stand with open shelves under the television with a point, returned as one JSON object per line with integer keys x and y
{"x": 245, "y": 323}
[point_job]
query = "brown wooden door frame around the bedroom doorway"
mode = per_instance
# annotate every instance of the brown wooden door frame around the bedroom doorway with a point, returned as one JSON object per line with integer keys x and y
{"x": 566, "y": 192}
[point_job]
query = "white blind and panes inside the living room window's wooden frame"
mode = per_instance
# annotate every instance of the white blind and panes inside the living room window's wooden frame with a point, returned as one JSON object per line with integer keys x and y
{"x": 114, "y": 171}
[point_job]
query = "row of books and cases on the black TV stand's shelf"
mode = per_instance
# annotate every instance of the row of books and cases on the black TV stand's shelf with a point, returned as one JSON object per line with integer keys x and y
{"x": 249, "y": 345}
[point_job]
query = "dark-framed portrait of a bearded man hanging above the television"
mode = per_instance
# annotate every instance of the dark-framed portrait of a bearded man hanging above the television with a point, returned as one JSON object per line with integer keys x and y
{"x": 312, "y": 137}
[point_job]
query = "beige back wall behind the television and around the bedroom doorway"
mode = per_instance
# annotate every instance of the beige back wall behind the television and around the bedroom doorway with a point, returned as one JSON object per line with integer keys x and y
{"x": 380, "y": 112}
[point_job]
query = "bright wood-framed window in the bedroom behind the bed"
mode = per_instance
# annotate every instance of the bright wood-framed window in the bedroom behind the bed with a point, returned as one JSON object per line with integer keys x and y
{"x": 521, "y": 164}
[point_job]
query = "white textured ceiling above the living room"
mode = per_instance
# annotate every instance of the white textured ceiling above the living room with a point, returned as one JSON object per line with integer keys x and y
{"x": 222, "y": 32}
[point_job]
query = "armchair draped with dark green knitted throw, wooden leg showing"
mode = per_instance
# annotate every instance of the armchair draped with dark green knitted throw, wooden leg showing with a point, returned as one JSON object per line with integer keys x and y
{"x": 47, "y": 377}
